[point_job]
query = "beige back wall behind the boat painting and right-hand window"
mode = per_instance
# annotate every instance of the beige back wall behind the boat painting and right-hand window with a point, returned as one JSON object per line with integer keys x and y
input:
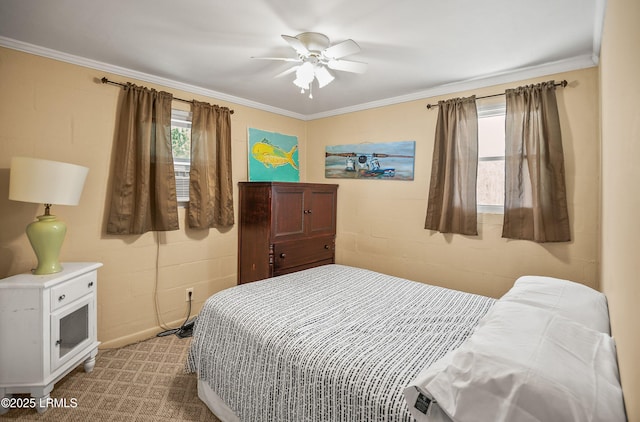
{"x": 380, "y": 223}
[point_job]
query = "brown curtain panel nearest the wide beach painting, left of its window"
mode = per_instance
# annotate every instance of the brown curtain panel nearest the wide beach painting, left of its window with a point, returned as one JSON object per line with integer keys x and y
{"x": 452, "y": 192}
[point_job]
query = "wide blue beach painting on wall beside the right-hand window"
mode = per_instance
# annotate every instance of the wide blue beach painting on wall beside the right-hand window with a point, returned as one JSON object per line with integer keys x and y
{"x": 380, "y": 161}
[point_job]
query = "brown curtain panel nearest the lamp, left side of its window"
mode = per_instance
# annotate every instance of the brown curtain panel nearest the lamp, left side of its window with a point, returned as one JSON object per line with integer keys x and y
{"x": 143, "y": 196}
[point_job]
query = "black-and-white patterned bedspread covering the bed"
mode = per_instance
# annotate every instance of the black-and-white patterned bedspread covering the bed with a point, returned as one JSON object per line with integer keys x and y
{"x": 332, "y": 343}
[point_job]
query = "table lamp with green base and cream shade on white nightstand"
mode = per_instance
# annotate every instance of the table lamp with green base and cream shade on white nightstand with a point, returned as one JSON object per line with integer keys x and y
{"x": 49, "y": 183}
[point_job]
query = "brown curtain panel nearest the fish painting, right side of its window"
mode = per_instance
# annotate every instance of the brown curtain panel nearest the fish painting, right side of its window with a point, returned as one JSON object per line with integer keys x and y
{"x": 210, "y": 185}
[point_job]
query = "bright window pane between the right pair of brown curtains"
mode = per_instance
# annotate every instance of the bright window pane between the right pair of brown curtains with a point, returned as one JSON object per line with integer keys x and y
{"x": 490, "y": 183}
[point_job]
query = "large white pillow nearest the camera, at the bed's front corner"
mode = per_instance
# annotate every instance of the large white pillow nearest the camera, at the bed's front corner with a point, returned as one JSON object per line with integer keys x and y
{"x": 524, "y": 364}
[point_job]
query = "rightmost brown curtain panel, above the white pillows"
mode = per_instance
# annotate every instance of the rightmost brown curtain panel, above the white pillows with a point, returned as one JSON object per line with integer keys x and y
{"x": 535, "y": 193}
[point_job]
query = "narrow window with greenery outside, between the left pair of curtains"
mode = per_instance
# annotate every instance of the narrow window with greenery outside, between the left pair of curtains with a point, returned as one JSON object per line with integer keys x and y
{"x": 181, "y": 146}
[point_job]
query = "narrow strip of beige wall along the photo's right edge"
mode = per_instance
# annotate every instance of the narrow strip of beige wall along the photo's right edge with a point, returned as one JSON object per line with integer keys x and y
{"x": 620, "y": 86}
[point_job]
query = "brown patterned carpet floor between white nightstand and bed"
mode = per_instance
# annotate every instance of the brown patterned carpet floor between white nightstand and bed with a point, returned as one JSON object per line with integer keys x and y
{"x": 141, "y": 382}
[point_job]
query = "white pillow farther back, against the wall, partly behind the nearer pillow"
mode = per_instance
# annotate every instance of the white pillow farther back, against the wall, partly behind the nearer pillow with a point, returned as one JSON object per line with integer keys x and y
{"x": 572, "y": 300}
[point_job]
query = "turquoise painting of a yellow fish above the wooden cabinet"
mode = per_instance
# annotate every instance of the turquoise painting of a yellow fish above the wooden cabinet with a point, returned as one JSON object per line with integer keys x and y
{"x": 273, "y": 157}
